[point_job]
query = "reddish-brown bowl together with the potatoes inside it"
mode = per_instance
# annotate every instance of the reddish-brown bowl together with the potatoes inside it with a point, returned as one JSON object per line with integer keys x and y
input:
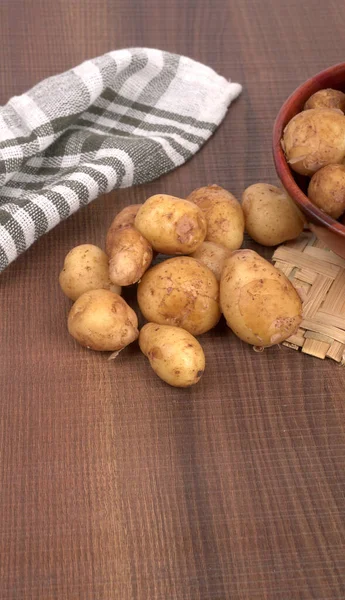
{"x": 309, "y": 153}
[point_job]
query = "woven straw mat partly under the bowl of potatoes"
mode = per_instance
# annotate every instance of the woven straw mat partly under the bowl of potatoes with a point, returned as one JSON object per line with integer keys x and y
{"x": 319, "y": 275}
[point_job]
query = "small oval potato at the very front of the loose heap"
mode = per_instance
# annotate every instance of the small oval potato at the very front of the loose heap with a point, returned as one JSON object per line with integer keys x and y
{"x": 174, "y": 354}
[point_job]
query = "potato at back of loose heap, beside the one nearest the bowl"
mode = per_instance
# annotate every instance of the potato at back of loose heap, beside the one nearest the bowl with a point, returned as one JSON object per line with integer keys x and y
{"x": 224, "y": 215}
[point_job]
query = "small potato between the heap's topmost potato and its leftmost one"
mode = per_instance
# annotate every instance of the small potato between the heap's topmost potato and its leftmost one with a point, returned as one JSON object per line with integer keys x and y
{"x": 131, "y": 256}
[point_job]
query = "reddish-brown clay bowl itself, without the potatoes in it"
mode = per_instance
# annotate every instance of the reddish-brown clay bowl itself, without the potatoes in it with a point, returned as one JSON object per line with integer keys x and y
{"x": 331, "y": 232}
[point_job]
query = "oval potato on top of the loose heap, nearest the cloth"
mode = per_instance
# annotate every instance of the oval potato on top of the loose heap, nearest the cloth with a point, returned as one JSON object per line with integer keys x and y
{"x": 171, "y": 225}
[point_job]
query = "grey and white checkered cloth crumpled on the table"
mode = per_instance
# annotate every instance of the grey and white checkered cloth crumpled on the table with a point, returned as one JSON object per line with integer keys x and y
{"x": 118, "y": 120}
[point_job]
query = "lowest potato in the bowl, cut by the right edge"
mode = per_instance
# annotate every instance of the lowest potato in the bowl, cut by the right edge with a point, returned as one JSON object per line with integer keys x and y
{"x": 327, "y": 190}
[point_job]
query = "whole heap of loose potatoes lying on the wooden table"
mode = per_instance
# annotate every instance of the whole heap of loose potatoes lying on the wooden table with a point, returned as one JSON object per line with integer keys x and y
{"x": 185, "y": 295}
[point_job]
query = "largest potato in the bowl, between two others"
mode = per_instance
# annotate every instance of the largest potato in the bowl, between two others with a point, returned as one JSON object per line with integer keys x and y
{"x": 313, "y": 139}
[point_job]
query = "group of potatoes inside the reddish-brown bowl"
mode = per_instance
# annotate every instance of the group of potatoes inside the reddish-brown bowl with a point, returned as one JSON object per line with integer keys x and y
{"x": 314, "y": 145}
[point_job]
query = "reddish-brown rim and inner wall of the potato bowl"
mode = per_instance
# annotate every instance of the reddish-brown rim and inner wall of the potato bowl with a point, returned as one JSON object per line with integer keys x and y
{"x": 292, "y": 105}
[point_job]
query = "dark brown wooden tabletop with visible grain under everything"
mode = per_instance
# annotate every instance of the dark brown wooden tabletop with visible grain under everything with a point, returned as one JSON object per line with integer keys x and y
{"x": 114, "y": 485}
